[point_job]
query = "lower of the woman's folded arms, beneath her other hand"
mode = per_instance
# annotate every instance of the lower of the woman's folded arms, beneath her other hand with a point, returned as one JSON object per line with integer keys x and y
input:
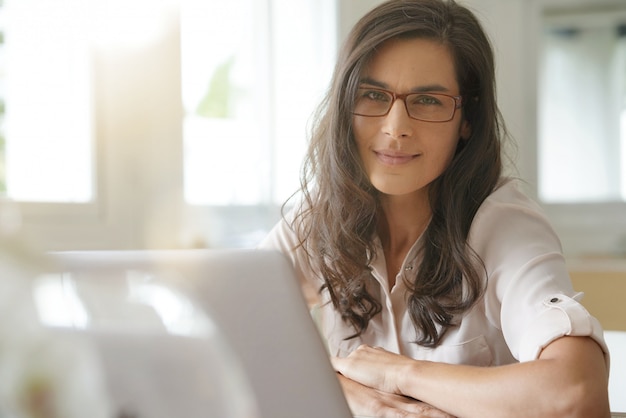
{"x": 367, "y": 402}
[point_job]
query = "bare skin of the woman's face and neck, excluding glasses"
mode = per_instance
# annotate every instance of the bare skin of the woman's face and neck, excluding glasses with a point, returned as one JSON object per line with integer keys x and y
{"x": 400, "y": 155}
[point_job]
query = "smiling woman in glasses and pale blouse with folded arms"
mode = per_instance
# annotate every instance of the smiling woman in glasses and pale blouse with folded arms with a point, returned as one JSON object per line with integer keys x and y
{"x": 425, "y": 264}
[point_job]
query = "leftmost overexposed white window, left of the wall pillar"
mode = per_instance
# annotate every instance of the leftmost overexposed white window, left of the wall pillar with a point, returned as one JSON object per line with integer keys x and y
{"x": 46, "y": 101}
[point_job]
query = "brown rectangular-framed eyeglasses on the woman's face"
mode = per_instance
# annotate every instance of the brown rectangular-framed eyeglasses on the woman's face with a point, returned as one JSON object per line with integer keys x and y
{"x": 428, "y": 107}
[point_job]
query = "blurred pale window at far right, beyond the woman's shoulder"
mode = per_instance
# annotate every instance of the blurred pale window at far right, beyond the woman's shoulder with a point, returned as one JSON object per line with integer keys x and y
{"x": 582, "y": 107}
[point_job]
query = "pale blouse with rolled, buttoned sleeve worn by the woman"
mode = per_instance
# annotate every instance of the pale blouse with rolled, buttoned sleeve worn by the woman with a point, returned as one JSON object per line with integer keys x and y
{"x": 528, "y": 303}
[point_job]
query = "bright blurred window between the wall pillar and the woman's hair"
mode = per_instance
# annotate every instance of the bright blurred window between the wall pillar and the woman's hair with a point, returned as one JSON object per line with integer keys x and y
{"x": 247, "y": 101}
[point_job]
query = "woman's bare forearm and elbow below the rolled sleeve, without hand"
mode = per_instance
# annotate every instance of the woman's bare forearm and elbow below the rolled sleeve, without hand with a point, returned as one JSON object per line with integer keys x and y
{"x": 572, "y": 383}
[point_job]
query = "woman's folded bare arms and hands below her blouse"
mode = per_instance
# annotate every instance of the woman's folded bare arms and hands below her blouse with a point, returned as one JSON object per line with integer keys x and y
{"x": 569, "y": 379}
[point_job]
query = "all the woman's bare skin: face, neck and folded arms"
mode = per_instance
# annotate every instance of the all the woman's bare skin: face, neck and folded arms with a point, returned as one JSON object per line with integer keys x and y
{"x": 402, "y": 157}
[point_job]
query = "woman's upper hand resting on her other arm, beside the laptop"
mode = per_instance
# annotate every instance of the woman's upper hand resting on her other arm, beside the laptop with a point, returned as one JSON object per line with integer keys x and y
{"x": 374, "y": 367}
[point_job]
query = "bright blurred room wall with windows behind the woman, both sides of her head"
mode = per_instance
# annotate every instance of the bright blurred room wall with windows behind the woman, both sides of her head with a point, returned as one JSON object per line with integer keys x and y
{"x": 182, "y": 124}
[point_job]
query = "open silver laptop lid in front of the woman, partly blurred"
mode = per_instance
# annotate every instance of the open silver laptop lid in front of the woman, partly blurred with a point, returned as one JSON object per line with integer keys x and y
{"x": 252, "y": 297}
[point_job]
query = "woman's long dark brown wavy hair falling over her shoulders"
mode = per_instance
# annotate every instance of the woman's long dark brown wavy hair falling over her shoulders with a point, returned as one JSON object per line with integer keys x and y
{"x": 340, "y": 213}
